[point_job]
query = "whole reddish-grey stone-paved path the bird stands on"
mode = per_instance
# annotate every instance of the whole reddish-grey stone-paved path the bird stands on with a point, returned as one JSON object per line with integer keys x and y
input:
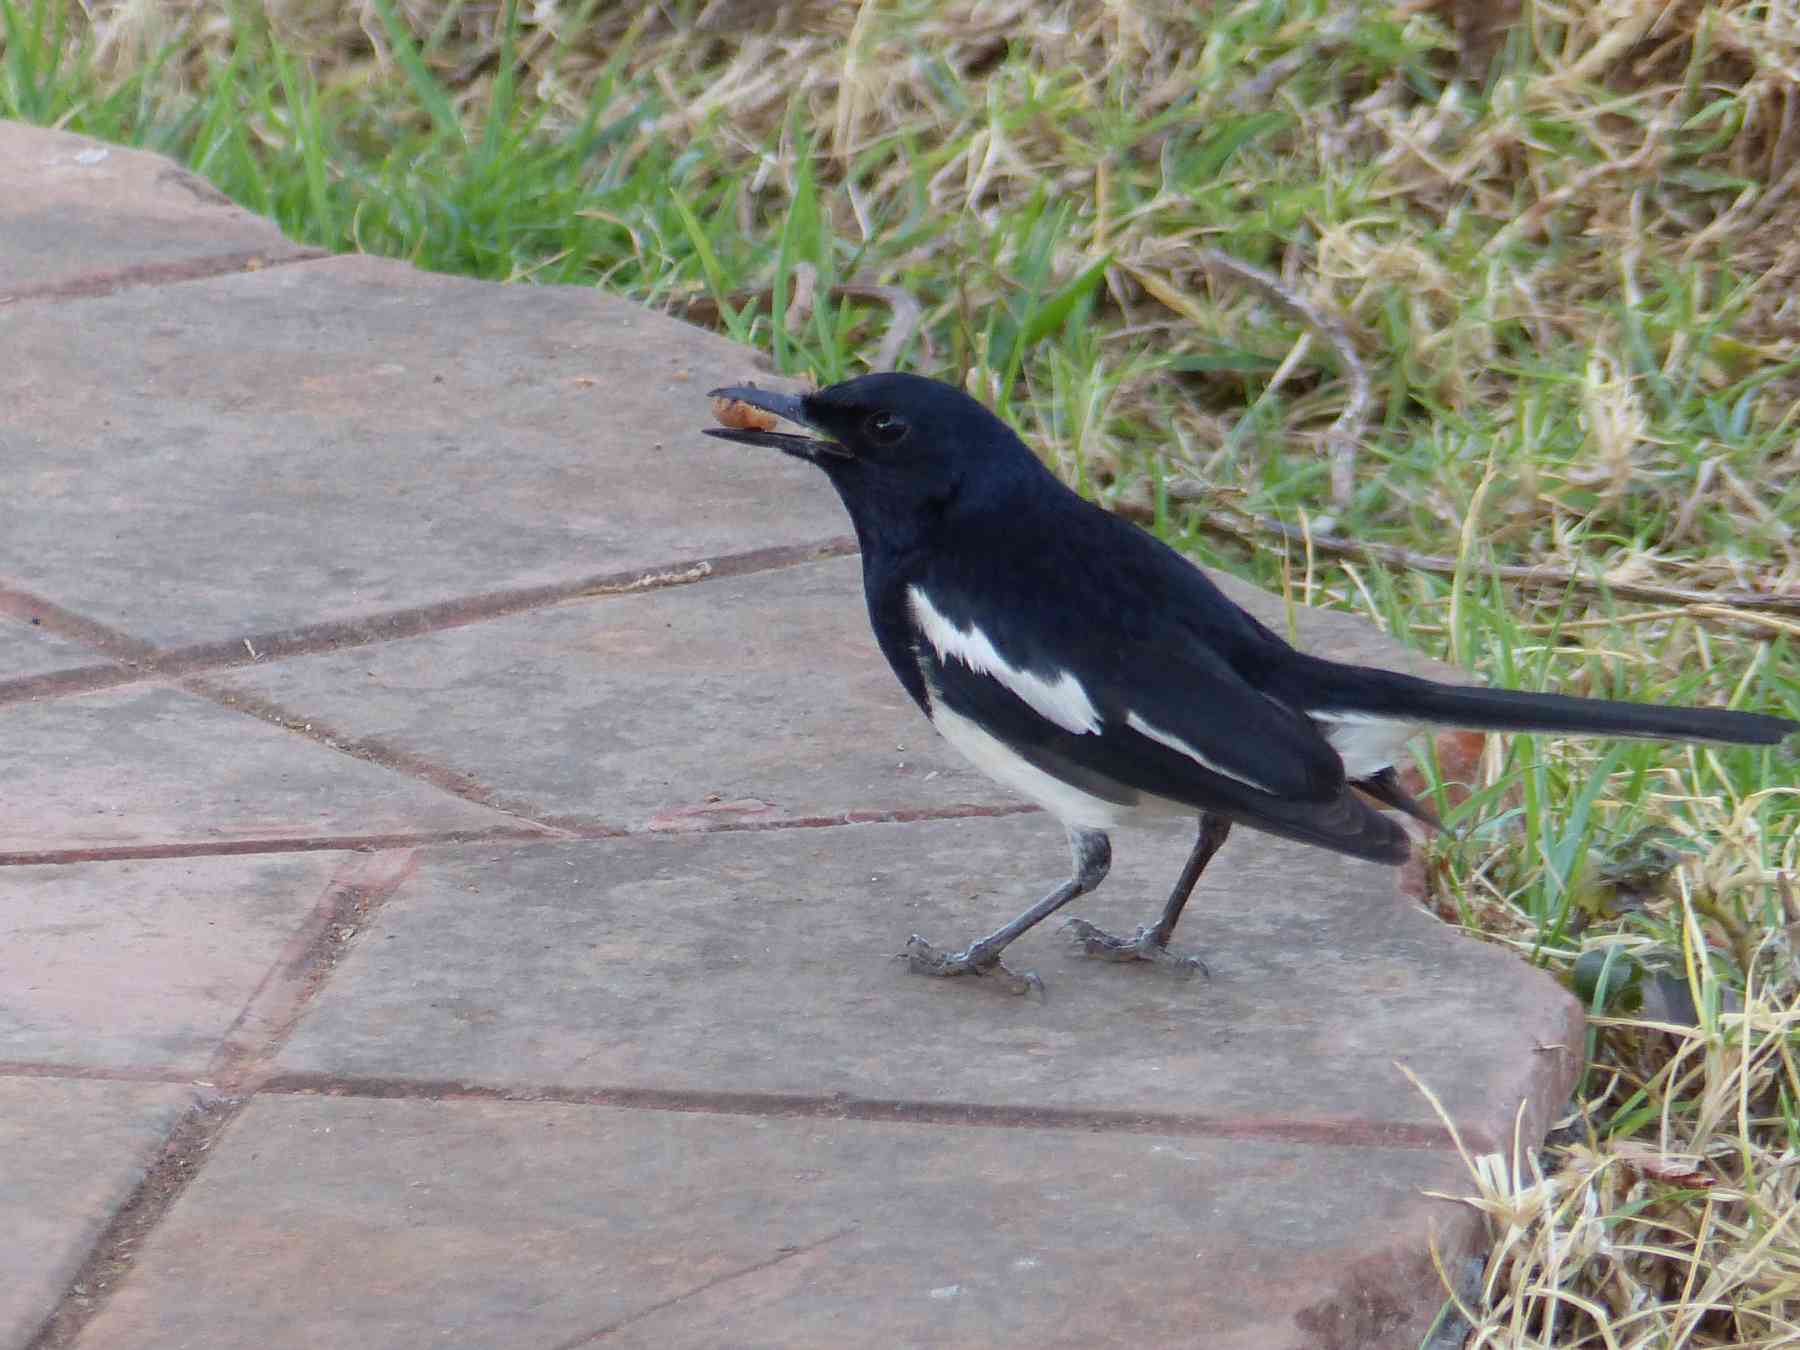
{"x": 337, "y": 570}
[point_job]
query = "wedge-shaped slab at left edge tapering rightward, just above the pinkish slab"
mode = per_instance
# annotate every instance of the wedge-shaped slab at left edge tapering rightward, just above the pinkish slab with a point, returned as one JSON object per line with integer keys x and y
{"x": 156, "y": 766}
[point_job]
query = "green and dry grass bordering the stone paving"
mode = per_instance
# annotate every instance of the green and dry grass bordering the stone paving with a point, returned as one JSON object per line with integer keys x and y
{"x": 1563, "y": 260}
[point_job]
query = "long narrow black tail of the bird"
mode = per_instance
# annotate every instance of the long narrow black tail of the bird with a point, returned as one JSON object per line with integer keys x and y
{"x": 1380, "y": 694}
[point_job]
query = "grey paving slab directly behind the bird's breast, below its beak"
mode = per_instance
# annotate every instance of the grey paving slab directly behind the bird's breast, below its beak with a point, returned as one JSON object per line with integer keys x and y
{"x": 744, "y": 699}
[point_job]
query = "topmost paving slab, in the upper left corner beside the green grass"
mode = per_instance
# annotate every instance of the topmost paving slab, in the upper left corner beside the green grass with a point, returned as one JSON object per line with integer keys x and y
{"x": 78, "y": 215}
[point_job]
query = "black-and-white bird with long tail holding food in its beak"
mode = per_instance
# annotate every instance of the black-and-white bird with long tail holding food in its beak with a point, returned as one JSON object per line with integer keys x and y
{"x": 1092, "y": 669}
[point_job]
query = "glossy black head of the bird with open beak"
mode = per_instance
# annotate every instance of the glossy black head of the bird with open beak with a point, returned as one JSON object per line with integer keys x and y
{"x": 897, "y": 442}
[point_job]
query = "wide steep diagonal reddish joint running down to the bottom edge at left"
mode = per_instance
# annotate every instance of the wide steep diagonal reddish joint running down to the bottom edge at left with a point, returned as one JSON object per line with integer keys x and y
{"x": 231, "y": 1083}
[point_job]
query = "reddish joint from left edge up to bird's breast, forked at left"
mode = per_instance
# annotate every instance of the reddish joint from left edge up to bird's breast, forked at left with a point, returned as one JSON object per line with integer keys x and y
{"x": 139, "y": 661}
